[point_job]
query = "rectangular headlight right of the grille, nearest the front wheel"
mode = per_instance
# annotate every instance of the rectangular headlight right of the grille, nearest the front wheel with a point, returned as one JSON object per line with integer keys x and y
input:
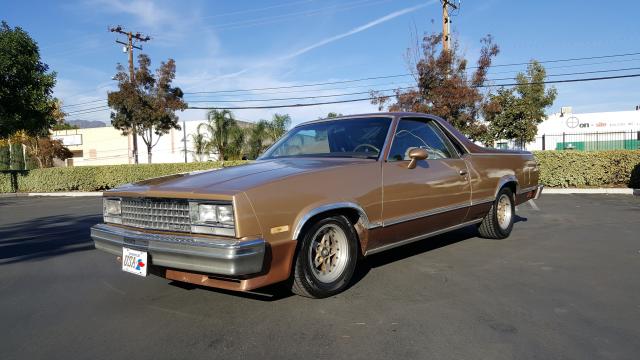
{"x": 209, "y": 218}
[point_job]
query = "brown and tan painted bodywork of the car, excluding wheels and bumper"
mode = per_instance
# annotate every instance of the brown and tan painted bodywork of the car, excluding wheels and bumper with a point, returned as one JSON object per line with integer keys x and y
{"x": 397, "y": 202}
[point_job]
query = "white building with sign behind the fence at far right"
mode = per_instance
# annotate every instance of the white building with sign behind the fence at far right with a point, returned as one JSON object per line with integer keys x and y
{"x": 587, "y": 131}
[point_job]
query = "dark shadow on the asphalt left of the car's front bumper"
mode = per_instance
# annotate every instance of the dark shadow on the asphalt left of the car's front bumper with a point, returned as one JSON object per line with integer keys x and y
{"x": 46, "y": 237}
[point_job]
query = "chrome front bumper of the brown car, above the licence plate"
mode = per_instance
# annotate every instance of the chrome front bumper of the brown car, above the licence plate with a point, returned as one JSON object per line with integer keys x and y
{"x": 202, "y": 254}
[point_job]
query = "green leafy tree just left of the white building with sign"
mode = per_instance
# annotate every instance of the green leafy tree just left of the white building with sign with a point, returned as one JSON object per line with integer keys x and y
{"x": 515, "y": 113}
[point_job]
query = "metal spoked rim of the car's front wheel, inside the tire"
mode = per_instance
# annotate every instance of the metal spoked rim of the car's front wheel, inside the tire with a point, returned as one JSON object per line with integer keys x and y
{"x": 329, "y": 253}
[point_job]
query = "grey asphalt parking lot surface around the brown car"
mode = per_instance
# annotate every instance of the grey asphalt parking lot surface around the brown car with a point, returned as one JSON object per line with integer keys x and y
{"x": 565, "y": 285}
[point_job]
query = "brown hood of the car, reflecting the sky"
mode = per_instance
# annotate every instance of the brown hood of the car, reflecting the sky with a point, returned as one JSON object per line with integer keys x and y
{"x": 233, "y": 179}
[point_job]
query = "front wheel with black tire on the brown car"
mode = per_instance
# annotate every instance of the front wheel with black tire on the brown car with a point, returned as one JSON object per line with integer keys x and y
{"x": 307, "y": 278}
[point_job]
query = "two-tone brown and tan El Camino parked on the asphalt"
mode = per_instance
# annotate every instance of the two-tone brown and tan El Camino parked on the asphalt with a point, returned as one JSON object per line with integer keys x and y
{"x": 325, "y": 195}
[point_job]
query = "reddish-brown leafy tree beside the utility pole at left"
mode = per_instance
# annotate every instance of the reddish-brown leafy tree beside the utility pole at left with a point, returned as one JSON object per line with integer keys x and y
{"x": 148, "y": 103}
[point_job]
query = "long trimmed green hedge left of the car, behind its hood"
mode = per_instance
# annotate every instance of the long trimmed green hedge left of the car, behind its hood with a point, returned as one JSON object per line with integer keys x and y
{"x": 94, "y": 178}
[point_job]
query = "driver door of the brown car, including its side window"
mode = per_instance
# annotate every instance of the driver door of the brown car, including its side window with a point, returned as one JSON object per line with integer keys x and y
{"x": 432, "y": 196}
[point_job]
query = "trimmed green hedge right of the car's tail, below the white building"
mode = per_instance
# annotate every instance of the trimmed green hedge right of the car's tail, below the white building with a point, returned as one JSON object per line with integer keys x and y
{"x": 589, "y": 168}
